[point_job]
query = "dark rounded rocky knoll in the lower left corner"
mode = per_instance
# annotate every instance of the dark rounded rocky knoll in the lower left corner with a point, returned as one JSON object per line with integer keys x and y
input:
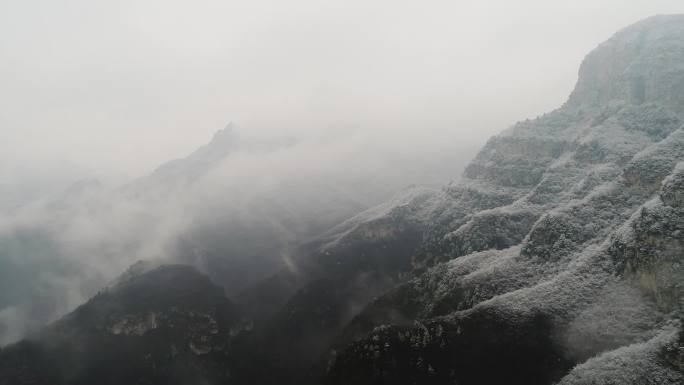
{"x": 169, "y": 325}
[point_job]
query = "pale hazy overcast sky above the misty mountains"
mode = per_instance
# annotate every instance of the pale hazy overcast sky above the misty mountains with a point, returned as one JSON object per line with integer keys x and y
{"x": 123, "y": 85}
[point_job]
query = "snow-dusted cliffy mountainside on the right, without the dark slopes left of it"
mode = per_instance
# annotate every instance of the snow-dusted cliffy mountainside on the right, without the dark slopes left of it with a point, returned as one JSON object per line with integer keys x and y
{"x": 559, "y": 257}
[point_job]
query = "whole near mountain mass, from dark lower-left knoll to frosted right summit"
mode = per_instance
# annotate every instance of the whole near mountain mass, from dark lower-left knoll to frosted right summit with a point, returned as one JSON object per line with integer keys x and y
{"x": 555, "y": 259}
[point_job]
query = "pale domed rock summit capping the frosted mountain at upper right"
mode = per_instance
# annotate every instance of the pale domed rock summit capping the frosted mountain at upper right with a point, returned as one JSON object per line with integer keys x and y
{"x": 643, "y": 63}
